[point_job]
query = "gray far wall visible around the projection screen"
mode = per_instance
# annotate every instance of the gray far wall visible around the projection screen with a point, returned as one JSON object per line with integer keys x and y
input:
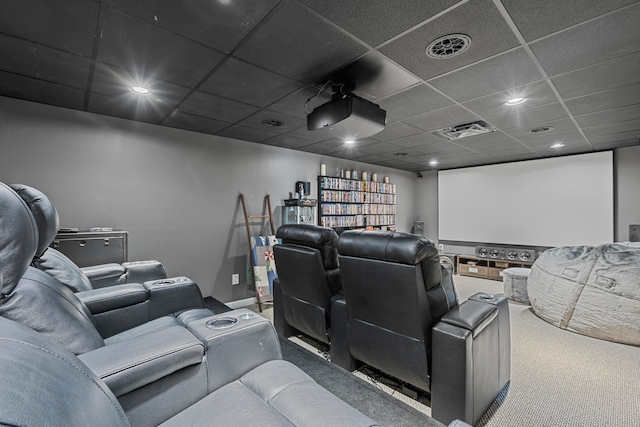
{"x": 626, "y": 169}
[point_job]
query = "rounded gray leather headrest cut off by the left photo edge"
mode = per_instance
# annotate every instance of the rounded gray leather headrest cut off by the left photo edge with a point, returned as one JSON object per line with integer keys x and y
{"x": 18, "y": 238}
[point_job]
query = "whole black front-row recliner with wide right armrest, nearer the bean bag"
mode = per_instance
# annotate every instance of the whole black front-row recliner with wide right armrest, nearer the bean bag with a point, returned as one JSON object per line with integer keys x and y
{"x": 403, "y": 318}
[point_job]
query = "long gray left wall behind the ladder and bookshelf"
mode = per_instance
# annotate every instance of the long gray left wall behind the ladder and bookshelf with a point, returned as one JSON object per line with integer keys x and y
{"x": 175, "y": 191}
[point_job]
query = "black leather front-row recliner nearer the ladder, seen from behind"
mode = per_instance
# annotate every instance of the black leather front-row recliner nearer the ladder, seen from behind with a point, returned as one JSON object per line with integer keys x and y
{"x": 308, "y": 280}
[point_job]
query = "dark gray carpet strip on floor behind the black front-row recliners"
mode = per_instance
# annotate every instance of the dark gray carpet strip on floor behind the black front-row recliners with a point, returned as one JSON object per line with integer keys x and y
{"x": 376, "y": 404}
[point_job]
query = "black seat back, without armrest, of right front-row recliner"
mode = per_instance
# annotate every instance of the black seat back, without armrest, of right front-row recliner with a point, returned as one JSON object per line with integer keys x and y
{"x": 394, "y": 291}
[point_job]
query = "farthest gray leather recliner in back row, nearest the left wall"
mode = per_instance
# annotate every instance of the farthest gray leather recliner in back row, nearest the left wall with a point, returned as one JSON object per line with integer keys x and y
{"x": 66, "y": 271}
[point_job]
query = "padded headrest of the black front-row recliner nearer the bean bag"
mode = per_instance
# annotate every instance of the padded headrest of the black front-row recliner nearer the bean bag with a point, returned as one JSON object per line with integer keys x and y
{"x": 394, "y": 246}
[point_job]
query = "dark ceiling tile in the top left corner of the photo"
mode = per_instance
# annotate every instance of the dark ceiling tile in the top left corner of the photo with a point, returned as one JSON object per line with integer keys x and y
{"x": 67, "y": 25}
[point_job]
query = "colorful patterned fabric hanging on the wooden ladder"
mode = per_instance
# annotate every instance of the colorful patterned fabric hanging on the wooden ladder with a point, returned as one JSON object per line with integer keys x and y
{"x": 264, "y": 265}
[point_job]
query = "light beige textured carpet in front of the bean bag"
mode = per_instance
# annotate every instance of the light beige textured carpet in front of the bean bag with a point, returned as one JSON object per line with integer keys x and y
{"x": 560, "y": 378}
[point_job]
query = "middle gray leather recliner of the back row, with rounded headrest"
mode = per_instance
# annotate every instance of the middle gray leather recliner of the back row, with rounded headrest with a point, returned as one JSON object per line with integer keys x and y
{"x": 86, "y": 320}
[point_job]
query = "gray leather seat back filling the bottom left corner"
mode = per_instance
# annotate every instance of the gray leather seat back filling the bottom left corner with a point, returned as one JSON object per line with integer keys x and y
{"x": 43, "y": 384}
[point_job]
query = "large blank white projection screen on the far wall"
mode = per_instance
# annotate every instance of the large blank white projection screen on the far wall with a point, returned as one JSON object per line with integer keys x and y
{"x": 552, "y": 202}
